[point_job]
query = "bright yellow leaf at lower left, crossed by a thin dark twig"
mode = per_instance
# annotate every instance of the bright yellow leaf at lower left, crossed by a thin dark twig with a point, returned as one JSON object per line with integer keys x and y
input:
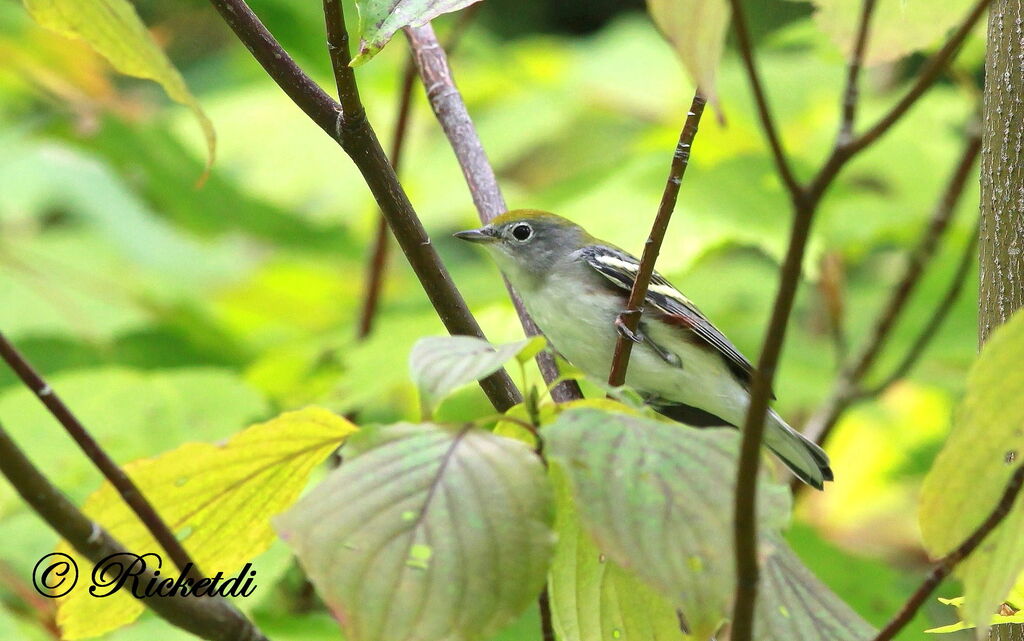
{"x": 218, "y": 498}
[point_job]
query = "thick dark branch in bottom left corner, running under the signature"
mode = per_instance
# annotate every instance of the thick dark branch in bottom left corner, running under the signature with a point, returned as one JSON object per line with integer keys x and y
{"x": 212, "y": 619}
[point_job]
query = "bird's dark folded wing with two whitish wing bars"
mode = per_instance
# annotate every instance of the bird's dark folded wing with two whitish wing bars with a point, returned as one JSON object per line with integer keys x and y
{"x": 621, "y": 269}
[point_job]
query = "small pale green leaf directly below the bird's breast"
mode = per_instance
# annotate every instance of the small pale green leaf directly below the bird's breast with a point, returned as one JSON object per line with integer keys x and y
{"x": 442, "y": 364}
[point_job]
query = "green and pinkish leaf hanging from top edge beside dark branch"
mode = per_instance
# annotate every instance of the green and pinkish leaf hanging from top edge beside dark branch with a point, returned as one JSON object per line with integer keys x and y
{"x": 380, "y": 20}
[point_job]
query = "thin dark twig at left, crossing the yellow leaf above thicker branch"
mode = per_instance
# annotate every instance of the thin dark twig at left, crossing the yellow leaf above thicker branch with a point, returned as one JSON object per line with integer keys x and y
{"x": 125, "y": 487}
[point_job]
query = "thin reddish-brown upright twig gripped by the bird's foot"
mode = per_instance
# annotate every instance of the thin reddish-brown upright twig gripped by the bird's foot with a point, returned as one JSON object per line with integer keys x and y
{"x": 629, "y": 320}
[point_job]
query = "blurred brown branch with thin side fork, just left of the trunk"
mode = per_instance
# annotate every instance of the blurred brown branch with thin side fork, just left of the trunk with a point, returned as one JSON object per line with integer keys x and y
{"x": 848, "y": 389}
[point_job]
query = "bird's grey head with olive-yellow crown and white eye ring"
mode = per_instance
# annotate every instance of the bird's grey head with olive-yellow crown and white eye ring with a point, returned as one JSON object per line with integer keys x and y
{"x": 528, "y": 244}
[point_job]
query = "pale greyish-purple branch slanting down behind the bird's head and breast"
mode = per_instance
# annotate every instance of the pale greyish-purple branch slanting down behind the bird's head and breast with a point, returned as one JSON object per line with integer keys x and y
{"x": 436, "y": 73}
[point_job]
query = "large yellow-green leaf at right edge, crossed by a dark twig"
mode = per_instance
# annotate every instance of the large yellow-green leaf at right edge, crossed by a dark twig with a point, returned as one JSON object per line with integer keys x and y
{"x": 972, "y": 472}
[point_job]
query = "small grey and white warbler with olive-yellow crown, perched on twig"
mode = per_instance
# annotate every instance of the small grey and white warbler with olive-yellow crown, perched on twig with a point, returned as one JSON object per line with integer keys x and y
{"x": 575, "y": 287}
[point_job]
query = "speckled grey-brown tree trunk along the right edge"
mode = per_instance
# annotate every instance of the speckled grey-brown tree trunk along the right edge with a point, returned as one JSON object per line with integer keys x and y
{"x": 1001, "y": 290}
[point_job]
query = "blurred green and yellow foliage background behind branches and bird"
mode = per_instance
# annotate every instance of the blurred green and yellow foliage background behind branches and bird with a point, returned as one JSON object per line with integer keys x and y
{"x": 165, "y": 313}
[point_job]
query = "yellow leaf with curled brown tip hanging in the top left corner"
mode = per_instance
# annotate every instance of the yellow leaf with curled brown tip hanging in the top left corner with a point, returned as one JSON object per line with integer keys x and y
{"x": 115, "y": 31}
